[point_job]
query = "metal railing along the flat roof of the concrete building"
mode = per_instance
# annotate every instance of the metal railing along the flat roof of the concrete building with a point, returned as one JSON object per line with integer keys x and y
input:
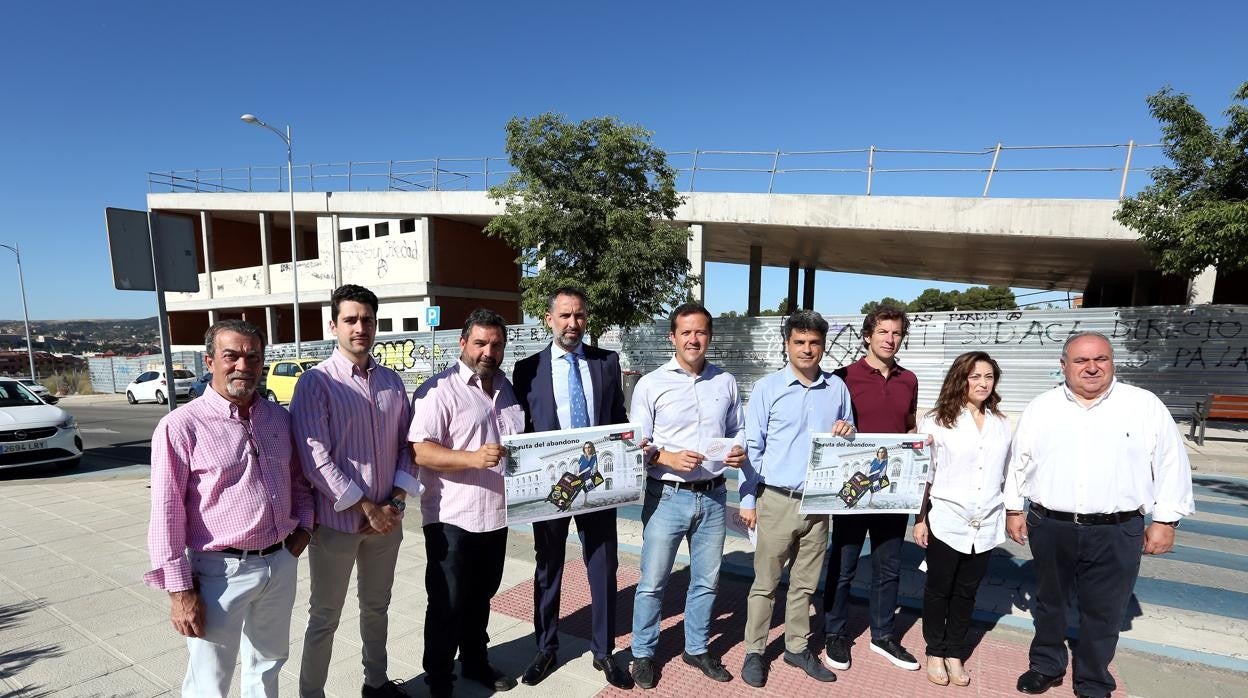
{"x": 713, "y": 170}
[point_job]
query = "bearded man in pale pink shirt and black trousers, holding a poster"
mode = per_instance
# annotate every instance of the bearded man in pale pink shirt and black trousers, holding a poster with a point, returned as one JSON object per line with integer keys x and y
{"x": 459, "y": 420}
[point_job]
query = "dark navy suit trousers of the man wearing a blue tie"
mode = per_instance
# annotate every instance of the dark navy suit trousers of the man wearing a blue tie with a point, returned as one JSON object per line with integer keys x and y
{"x": 600, "y": 550}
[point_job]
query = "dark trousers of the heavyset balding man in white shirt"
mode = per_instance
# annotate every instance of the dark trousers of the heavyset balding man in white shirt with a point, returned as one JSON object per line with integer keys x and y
{"x": 1100, "y": 565}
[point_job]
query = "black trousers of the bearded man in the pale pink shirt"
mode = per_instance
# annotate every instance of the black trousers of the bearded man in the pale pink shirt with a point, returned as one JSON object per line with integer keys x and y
{"x": 462, "y": 574}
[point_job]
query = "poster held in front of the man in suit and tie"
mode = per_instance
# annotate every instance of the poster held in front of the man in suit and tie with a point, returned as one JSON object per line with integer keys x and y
{"x": 560, "y": 474}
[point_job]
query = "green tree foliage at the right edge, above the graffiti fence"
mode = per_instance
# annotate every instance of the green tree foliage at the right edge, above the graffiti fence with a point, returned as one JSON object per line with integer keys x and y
{"x": 1195, "y": 214}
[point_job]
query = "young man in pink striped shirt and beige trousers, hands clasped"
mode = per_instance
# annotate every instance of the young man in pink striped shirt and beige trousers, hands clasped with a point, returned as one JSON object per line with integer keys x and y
{"x": 351, "y": 419}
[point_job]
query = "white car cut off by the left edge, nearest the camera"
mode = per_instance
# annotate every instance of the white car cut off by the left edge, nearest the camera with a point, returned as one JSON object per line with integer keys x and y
{"x": 34, "y": 434}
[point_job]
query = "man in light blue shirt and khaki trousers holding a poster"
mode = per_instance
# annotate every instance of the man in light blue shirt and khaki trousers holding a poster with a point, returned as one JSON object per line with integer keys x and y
{"x": 786, "y": 409}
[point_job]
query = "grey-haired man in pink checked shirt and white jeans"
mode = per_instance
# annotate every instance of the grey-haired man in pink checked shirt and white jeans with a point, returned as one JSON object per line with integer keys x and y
{"x": 232, "y": 513}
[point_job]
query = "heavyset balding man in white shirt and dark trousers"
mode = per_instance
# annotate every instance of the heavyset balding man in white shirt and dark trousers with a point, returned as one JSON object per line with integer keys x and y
{"x": 1094, "y": 456}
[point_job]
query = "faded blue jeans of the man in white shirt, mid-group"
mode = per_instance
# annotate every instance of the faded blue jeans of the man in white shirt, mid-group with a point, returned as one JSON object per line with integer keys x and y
{"x": 670, "y": 516}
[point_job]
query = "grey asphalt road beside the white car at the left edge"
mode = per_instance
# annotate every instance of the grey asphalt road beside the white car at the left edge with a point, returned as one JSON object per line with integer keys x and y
{"x": 118, "y": 439}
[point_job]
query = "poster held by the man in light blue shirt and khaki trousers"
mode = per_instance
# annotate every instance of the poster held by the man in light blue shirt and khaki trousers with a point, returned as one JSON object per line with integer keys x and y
{"x": 867, "y": 474}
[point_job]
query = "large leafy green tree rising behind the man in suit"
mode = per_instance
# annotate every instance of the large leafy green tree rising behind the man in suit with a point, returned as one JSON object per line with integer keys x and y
{"x": 588, "y": 205}
